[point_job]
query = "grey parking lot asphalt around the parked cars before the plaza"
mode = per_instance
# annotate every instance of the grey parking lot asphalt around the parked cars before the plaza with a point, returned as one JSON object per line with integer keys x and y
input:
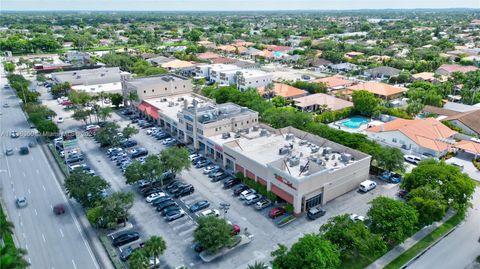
{"x": 178, "y": 234}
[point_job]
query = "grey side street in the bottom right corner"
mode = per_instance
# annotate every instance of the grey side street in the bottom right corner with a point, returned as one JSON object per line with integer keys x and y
{"x": 460, "y": 248}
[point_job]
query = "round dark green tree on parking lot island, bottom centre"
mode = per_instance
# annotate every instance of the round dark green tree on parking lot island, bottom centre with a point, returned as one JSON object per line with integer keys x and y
{"x": 212, "y": 233}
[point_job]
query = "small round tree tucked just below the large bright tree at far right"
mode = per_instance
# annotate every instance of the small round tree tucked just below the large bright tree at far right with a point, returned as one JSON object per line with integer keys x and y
{"x": 429, "y": 203}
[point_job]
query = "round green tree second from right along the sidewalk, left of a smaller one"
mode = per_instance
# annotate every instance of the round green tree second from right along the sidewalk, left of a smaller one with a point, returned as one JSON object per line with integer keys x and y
{"x": 392, "y": 219}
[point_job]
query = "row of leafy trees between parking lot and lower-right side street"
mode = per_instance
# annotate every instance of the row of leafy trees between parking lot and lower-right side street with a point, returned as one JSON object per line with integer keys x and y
{"x": 433, "y": 188}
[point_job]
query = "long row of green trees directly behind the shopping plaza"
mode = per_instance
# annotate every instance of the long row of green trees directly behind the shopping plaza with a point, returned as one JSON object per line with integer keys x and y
{"x": 289, "y": 116}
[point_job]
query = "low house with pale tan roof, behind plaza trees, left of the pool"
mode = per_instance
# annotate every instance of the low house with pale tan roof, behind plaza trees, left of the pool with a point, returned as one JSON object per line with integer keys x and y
{"x": 322, "y": 102}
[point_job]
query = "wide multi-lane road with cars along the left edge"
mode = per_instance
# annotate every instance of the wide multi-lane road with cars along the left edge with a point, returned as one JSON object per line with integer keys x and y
{"x": 51, "y": 241}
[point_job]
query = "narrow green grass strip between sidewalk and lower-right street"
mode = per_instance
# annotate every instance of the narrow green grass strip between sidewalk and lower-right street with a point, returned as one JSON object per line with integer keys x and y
{"x": 426, "y": 241}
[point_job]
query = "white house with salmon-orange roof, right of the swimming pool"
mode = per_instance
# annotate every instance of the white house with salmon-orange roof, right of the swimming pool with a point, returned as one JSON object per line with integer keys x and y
{"x": 422, "y": 136}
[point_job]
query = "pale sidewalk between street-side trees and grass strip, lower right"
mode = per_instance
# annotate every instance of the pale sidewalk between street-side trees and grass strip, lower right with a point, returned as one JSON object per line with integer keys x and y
{"x": 399, "y": 249}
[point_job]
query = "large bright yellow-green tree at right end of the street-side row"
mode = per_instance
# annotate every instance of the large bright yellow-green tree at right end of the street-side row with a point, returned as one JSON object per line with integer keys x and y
{"x": 456, "y": 187}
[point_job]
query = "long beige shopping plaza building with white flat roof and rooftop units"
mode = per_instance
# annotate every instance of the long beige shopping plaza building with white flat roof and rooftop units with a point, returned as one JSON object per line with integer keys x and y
{"x": 302, "y": 169}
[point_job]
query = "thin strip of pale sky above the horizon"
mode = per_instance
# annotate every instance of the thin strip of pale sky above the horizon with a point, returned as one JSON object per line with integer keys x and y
{"x": 201, "y": 5}
